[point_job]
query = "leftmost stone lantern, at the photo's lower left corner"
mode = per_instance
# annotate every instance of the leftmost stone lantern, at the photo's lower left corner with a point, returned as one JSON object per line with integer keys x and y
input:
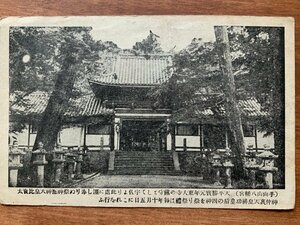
{"x": 14, "y": 164}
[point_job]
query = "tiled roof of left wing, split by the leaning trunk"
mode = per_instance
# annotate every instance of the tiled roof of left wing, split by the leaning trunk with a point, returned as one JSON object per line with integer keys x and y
{"x": 36, "y": 103}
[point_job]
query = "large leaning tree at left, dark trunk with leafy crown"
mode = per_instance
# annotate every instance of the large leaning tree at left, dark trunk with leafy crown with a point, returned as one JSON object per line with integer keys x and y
{"x": 58, "y": 57}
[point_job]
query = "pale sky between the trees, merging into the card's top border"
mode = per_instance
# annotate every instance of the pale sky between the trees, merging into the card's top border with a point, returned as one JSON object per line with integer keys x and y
{"x": 173, "y": 31}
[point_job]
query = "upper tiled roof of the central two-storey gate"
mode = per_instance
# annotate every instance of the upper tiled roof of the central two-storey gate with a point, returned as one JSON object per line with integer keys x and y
{"x": 136, "y": 70}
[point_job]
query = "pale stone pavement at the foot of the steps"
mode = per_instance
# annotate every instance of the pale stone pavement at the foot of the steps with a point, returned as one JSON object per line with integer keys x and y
{"x": 144, "y": 181}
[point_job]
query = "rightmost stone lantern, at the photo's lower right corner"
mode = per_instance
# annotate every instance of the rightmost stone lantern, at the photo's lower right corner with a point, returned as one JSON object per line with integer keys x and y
{"x": 267, "y": 165}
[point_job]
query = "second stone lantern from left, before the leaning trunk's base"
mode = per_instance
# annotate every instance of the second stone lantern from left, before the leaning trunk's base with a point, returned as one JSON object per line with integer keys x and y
{"x": 40, "y": 161}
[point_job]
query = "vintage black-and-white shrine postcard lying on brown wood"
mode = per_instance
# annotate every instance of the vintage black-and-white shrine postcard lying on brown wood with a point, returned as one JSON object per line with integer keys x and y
{"x": 148, "y": 111}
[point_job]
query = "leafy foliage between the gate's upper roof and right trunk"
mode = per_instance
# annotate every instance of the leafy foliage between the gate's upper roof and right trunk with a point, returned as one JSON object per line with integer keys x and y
{"x": 194, "y": 75}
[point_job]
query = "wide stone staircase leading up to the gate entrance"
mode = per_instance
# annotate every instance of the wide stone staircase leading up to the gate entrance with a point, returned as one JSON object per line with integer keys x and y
{"x": 143, "y": 163}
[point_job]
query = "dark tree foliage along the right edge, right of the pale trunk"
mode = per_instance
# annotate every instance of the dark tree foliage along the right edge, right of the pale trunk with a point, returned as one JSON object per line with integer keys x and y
{"x": 261, "y": 58}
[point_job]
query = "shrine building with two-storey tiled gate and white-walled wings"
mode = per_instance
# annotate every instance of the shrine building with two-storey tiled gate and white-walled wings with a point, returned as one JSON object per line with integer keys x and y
{"x": 121, "y": 117}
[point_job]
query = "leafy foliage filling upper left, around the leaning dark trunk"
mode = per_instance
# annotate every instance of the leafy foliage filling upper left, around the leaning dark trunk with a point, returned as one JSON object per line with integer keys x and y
{"x": 38, "y": 55}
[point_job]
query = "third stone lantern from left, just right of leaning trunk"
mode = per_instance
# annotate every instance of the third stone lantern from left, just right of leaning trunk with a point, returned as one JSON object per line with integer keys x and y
{"x": 58, "y": 160}
